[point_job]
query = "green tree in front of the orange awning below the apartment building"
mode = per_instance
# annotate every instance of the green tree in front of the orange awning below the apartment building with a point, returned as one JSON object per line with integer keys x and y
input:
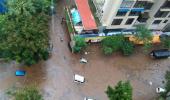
{"x": 145, "y": 35}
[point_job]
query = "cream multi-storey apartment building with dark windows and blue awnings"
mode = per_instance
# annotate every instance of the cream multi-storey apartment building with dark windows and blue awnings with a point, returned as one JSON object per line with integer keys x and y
{"x": 126, "y": 14}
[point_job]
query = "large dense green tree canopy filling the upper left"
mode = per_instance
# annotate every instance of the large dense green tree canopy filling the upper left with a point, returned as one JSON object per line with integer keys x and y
{"x": 24, "y": 32}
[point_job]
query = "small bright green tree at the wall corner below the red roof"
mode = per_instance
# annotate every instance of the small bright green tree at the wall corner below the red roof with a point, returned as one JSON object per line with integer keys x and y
{"x": 80, "y": 44}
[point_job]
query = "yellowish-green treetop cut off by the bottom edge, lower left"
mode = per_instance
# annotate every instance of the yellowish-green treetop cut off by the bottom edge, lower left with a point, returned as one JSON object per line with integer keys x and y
{"x": 26, "y": 93}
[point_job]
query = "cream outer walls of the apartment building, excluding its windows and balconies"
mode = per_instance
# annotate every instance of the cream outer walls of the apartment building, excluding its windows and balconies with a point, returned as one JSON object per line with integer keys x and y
{"x": 110, "y": 9}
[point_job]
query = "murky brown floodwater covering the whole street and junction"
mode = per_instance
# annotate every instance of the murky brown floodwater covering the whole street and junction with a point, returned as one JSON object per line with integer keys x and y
{"x": 54, "y": 77}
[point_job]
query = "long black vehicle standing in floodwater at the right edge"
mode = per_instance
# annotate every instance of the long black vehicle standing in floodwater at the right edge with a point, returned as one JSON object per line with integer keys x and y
{"x": 161, "y": 53}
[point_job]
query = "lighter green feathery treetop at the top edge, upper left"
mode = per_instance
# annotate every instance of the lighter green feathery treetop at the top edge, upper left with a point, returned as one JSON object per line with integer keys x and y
{"x": 28, "y": 7}
